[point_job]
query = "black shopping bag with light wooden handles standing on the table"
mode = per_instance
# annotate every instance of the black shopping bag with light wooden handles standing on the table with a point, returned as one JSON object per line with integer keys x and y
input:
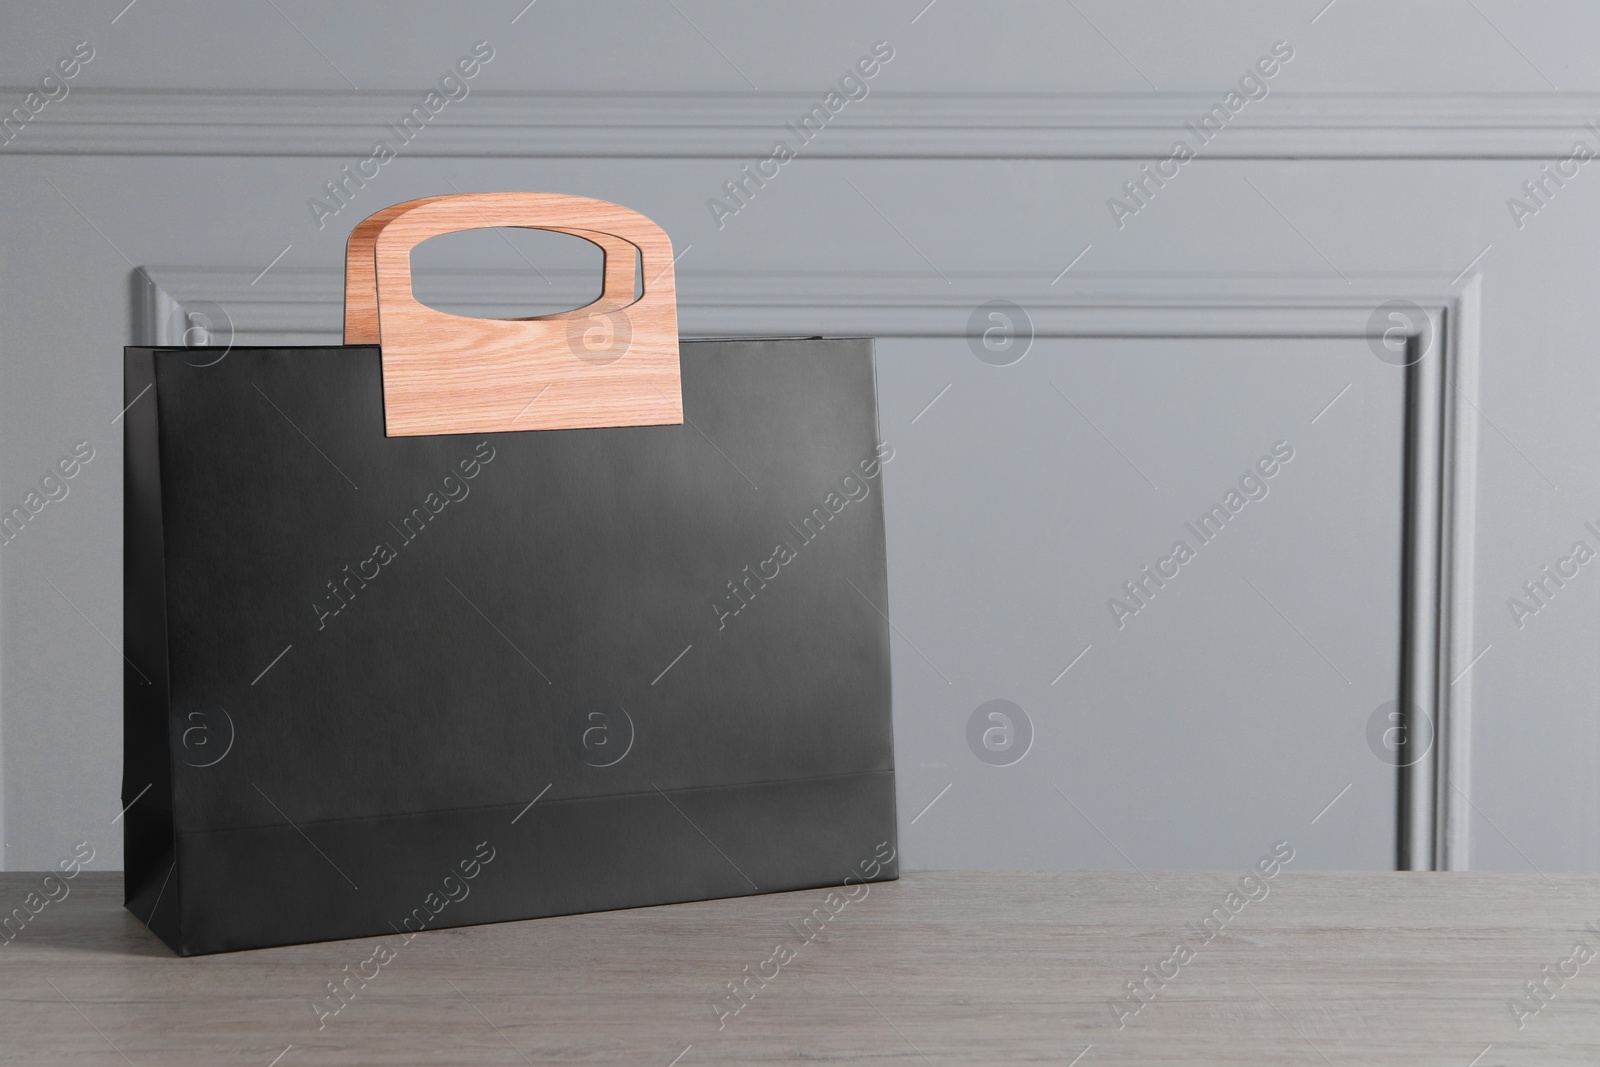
{"x": 471, "y": 621}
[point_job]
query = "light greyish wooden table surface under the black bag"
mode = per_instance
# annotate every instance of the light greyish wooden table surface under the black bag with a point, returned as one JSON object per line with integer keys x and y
{"x": 934, "y": 970}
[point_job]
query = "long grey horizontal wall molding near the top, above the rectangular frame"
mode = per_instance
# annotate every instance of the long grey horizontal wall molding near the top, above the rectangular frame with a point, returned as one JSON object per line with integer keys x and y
{"x": 745, "y": 126}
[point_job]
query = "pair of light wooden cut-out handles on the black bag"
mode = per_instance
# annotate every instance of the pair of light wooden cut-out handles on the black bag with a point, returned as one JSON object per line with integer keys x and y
{"x": 614, "y": 362}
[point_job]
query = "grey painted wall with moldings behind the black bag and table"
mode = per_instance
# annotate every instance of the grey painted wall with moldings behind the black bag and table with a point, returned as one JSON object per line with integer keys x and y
{"x": 1170, "y": 354}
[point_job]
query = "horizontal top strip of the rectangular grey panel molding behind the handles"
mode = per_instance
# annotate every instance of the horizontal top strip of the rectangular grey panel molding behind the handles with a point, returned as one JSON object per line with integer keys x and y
{"x": 306, "y": 305}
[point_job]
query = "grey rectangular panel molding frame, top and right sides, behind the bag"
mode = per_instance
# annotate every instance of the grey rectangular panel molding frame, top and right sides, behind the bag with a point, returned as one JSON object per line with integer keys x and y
{"x": 305, "y": 306}
